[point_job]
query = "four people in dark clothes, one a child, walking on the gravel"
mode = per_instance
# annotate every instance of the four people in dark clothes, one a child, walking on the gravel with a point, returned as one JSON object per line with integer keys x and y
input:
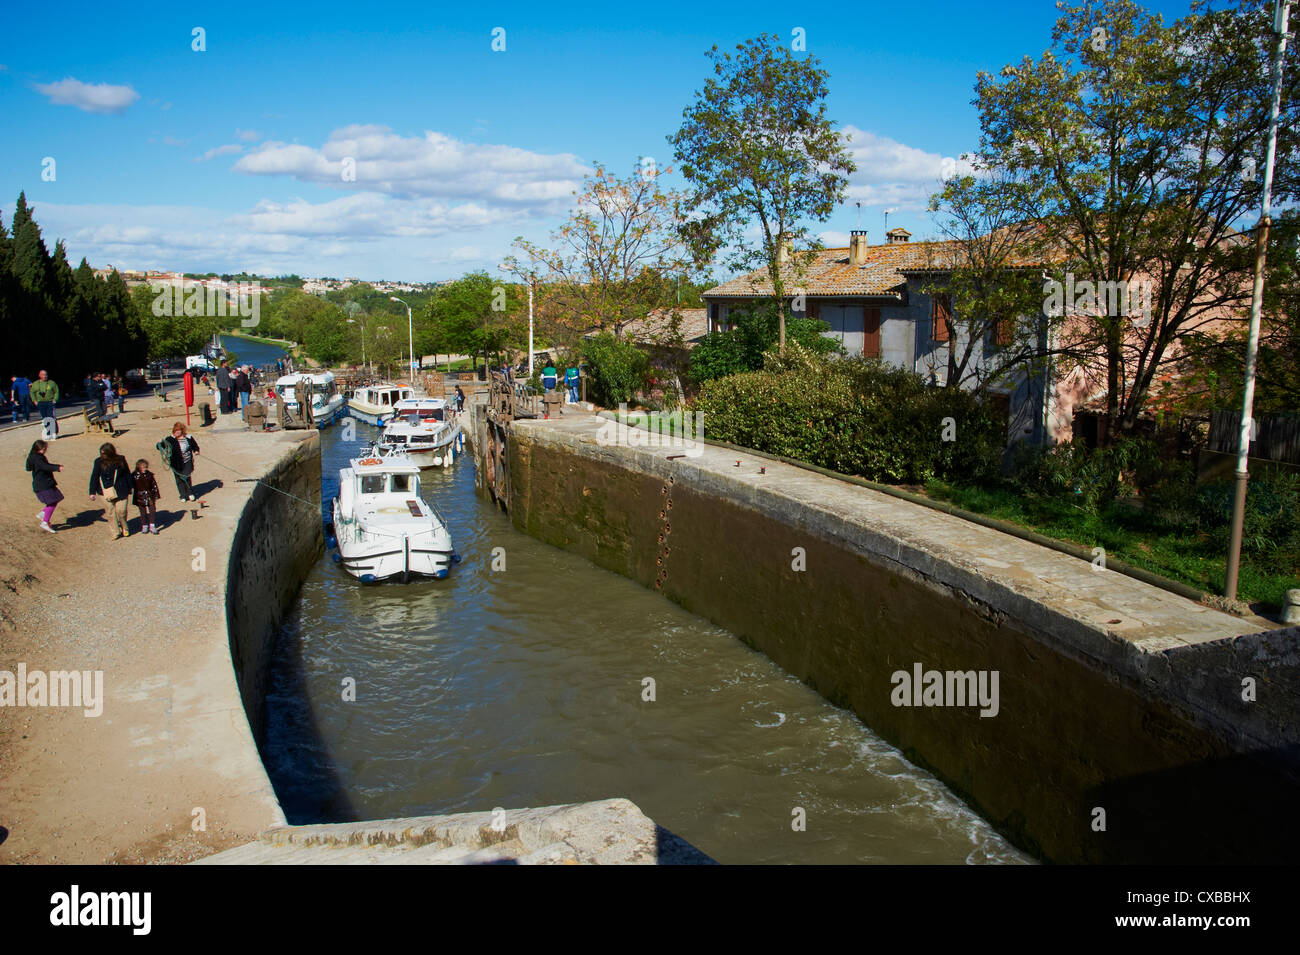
{"x": 116, "y": 484}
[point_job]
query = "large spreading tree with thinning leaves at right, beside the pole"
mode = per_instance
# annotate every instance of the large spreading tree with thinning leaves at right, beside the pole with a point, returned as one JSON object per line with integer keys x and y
{"x": 1141, "y": 142}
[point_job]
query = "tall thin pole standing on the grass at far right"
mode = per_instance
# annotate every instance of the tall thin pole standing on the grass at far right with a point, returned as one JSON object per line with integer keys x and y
{"x": 1282, "y": 12}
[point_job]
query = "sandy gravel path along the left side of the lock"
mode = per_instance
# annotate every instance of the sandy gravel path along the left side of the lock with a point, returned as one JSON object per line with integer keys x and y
{"x": 174, "y": 740}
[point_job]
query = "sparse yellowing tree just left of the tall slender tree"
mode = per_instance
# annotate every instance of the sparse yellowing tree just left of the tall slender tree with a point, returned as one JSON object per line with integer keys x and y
{"x": 608, "y": 264}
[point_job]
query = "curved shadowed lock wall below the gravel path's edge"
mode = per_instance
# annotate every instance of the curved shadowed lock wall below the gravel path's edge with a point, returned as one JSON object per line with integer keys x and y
{"x": 278, "y": 541}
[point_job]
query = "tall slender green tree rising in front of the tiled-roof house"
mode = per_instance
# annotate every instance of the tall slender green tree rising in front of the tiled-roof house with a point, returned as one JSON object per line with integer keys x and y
{"x": 759, "y": 149}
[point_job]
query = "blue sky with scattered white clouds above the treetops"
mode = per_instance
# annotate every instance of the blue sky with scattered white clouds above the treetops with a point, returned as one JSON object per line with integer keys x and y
{"x": 228, "y": 159}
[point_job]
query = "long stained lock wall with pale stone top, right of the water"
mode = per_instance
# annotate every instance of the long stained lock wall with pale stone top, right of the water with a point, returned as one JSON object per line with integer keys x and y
{"x": 1115, "y": 696}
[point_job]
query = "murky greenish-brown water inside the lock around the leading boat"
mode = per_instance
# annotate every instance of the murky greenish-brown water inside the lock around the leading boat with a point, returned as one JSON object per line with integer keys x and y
{"x": 523, "y": 687}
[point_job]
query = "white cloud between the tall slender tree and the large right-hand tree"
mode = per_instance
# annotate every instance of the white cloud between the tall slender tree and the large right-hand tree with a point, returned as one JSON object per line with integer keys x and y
{"x": 895, "y": 175}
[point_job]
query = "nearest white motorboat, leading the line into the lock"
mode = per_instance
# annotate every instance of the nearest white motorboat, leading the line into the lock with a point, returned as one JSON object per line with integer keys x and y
{"x": 383, "y": 528}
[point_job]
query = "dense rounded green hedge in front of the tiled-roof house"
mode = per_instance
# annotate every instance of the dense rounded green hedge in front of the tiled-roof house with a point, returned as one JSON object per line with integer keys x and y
{"x": 855, "y": 416}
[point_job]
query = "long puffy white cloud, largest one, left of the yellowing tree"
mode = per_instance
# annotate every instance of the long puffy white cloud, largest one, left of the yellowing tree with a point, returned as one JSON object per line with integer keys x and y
{"x": 434, "y": 166}
